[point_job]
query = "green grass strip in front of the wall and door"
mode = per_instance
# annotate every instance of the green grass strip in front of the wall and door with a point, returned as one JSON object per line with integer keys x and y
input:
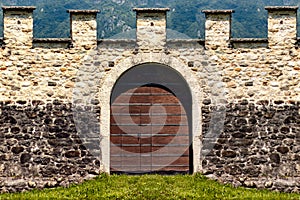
{"x": 150, "y": 187}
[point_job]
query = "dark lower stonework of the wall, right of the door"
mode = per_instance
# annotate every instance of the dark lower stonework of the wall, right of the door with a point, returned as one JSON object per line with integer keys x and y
{"x": 259, "y": 146}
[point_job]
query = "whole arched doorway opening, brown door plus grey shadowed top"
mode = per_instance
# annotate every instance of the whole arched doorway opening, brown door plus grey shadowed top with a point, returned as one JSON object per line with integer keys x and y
{"x": 150, "y": 122}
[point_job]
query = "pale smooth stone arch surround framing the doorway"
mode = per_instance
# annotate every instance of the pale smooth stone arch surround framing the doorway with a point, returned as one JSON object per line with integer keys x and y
{"x": 106, "y": 88}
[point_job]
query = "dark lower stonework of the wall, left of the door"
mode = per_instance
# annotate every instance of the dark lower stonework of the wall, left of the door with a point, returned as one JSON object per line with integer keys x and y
{"x": 40, "y": 146}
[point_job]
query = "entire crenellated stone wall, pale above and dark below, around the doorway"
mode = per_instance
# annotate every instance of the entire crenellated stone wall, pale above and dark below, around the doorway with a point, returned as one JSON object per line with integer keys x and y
{"x": 55, "y": 98}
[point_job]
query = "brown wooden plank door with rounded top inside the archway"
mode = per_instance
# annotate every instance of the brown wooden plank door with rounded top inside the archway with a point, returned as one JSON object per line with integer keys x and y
{"x": 149, "y": 132}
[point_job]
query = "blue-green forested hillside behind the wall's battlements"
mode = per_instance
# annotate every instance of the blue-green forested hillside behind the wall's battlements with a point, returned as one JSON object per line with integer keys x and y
{"x": 52, "y": 20}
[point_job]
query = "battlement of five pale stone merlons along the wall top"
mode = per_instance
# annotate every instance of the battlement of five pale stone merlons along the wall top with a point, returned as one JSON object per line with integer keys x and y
{"x": 282, "y": 29}
